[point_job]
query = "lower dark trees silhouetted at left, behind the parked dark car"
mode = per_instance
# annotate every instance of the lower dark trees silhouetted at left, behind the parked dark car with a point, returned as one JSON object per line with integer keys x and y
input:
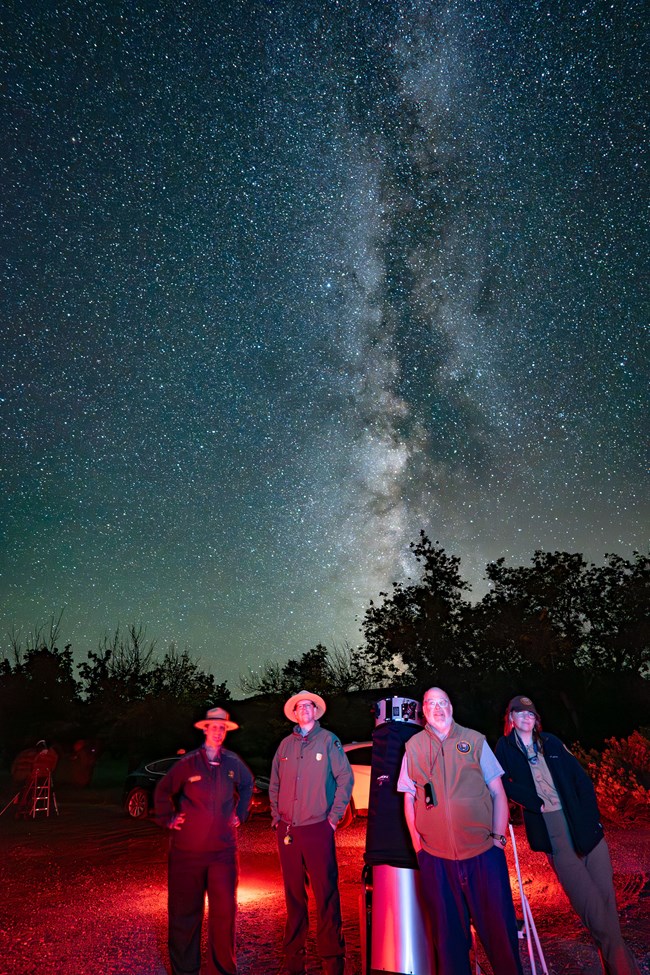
{"x": 124, "y": 695}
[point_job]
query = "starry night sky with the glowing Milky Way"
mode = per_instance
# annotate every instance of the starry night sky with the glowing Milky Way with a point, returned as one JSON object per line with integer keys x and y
{"x": 284, "y": 282}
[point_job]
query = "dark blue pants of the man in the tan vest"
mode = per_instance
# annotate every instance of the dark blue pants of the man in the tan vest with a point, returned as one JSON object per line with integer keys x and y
{"x": 476, "y": 890}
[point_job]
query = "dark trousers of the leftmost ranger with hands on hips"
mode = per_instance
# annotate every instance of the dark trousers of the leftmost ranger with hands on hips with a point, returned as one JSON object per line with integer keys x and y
{"x": 191, "y": 875}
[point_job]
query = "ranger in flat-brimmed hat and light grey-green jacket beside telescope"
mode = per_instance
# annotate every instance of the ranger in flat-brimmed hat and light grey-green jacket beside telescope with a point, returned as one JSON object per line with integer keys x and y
{"x": 310, "y": 788}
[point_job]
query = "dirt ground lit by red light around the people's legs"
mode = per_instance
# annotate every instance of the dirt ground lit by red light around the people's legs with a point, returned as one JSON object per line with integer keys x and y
{"x": 84, "y": 893}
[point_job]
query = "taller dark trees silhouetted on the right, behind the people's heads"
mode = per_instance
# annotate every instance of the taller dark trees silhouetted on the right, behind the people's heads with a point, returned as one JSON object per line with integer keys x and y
{"x": 573, "y": 635}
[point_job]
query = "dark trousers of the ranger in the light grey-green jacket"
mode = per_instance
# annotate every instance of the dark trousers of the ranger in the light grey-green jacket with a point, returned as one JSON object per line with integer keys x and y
{"x": 311, "y": 859}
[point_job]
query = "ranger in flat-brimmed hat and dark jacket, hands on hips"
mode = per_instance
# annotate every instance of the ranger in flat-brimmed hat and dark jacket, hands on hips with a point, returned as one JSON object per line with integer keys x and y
{"x": 202, "y": 800}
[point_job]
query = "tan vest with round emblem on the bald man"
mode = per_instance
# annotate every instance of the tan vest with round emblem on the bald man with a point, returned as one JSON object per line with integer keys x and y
{"x": 456, "y": 821}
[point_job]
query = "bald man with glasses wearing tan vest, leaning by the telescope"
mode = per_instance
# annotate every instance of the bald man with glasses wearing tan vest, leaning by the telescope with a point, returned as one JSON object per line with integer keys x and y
{"x": 457, "y": 814}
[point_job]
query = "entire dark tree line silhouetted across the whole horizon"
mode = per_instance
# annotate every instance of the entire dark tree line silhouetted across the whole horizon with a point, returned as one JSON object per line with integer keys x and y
{"x": 575, "y": 634}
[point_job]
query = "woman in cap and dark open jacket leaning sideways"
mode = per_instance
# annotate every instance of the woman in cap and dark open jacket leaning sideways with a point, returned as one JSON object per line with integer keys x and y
{"x": 562, "y": 820}
